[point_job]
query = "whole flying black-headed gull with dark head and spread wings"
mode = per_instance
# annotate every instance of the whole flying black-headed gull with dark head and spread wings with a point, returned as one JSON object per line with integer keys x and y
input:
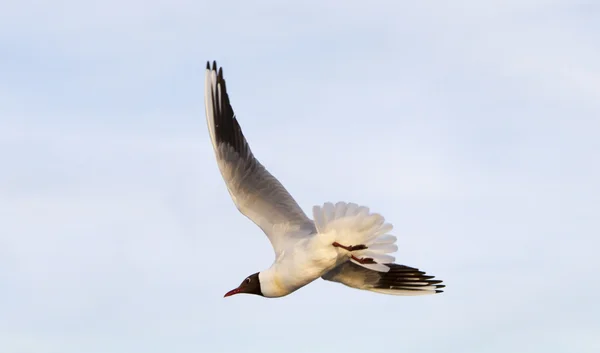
{"x": 344, "y": 242}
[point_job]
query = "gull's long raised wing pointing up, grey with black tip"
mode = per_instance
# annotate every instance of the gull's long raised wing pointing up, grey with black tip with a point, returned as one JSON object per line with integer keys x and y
{"x": 256, "y": 193}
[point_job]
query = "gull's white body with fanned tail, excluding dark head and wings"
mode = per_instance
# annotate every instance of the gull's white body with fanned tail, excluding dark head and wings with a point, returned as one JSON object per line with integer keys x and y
{"x": 307, "y": 257}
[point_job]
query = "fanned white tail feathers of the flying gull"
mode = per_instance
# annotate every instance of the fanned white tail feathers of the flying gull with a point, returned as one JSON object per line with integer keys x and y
{"x": 351, "y": 224}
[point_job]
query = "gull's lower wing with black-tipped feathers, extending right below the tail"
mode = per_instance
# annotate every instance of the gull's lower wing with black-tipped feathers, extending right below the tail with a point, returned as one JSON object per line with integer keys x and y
{"x": 399, "y": 280}
